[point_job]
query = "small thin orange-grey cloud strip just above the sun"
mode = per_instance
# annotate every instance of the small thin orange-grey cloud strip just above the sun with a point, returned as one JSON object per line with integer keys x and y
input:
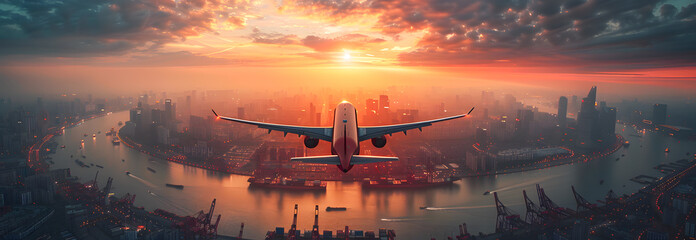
{"x": 319, "y": 44}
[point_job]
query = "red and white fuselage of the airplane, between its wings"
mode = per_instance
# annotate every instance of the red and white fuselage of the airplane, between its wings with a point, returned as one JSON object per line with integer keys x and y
{"x": 345, "y": 134}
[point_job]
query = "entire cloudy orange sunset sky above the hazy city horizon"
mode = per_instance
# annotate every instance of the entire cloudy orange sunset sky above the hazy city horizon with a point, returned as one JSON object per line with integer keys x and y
{"x": 642, "y": 42}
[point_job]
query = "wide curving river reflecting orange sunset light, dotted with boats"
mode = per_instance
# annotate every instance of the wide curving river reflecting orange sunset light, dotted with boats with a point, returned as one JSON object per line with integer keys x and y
{"x": 262, "y": 209}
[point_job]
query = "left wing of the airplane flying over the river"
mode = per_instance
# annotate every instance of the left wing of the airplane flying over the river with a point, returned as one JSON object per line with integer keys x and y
{"x": 325, "y": 134}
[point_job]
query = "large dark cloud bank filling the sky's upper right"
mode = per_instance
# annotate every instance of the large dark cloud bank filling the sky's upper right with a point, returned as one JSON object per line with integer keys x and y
{"x": 647, "y": 33}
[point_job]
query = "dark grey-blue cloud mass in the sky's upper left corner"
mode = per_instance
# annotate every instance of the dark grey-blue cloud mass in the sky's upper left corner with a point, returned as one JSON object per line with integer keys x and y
{"x": 77, "y": 28}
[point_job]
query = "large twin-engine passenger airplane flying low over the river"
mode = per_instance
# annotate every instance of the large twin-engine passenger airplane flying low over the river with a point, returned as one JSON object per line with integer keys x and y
{"x": 345, "y": 136}
